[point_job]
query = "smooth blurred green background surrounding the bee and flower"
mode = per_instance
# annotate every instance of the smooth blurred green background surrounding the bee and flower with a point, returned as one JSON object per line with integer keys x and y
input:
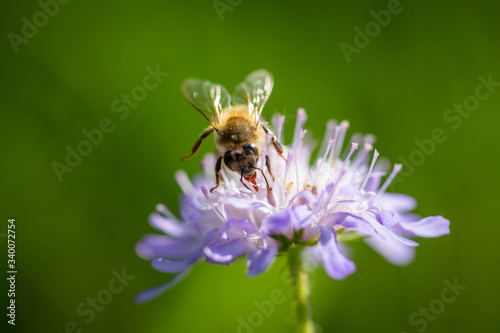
{"x": 72, "y": 233}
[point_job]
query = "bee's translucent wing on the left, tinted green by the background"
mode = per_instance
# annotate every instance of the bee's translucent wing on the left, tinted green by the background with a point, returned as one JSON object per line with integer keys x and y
{"x": 208, "y": 98}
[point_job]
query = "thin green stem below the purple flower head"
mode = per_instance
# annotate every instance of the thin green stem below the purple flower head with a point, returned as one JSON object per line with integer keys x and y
{"x": 300, "y": 292}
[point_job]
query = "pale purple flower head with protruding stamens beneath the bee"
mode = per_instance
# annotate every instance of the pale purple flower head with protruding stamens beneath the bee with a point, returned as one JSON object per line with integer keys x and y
{"x": 316, "y": 204}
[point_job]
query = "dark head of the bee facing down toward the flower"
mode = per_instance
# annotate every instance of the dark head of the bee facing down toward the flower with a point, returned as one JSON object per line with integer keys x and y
{"x": 243, "y": 159}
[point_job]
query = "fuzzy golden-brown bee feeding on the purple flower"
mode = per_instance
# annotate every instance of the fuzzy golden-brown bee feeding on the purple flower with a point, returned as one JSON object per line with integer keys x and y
{"x": 235, "y": 122}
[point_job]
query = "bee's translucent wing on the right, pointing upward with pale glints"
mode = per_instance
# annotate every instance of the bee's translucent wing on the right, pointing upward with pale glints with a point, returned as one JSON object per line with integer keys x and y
{"x": 254, "y": 92}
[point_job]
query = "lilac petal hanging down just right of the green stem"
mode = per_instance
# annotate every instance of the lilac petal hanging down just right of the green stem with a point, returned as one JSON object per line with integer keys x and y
{"x": 336, "y": 264}
